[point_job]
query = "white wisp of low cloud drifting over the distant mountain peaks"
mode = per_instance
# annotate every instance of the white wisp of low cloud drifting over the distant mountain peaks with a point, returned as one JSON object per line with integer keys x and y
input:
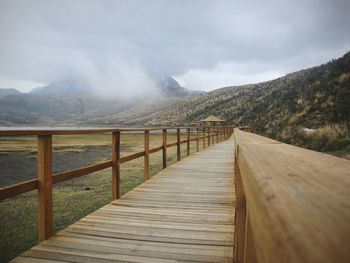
{"x": 118, "y": 77}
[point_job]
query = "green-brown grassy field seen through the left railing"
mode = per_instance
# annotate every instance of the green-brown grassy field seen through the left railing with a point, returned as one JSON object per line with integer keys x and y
{"x": 72, "y": 199}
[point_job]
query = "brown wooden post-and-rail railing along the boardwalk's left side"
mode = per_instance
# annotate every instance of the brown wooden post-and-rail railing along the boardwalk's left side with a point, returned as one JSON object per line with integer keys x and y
{"x": 46, "y": 179}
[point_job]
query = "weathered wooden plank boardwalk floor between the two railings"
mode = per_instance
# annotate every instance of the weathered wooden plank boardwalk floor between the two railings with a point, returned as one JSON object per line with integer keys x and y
{"x": 183, "y": 214}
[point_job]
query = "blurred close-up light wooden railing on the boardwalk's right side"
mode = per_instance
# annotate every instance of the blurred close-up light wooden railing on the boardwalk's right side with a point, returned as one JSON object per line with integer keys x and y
{"x": 292, "y": 204}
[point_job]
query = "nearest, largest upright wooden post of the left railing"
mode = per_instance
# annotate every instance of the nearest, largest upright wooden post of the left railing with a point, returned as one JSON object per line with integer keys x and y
{"x": 45, "y": 187}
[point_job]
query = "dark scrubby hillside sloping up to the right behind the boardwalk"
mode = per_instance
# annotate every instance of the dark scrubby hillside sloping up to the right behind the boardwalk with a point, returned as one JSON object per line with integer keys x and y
{"x": 314, "y": 99}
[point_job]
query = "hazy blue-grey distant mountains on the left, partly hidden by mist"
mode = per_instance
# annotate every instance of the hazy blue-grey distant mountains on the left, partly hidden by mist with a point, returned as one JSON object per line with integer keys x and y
{"x": 70, "y": 101}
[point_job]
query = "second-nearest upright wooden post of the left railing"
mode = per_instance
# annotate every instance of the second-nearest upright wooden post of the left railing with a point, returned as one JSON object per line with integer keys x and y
{"x": 115, "y": 165}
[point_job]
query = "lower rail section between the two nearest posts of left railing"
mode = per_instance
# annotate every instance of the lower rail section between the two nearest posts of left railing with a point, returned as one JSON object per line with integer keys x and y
{"x": 63, "y": 176}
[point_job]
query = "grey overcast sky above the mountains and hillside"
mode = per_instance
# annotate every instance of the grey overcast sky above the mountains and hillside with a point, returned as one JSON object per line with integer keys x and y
{"x": 203, "y": 44}
